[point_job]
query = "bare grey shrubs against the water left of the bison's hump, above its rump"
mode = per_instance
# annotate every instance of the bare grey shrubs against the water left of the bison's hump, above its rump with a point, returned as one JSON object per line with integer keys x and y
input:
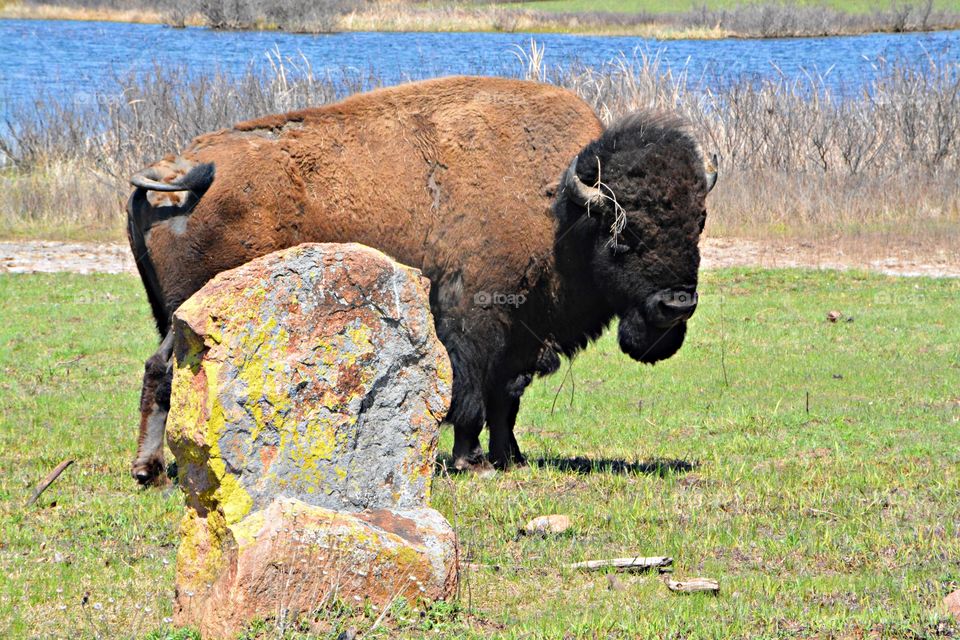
{"x": 158, "y": 112}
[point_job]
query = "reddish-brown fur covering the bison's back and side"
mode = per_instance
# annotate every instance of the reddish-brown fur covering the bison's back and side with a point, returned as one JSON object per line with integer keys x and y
{"x": 446, "y": 171}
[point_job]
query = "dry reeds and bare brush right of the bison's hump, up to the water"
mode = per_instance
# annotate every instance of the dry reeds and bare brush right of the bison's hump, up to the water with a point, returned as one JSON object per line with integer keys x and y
{"x": 800, "y": 161}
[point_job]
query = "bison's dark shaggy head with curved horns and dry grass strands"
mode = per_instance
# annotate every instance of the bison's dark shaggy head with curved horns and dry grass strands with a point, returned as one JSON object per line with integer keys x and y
{"x": 641, "y": 189}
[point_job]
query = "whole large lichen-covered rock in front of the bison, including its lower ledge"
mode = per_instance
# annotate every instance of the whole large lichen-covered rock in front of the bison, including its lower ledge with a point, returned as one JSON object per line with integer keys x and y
{"x": 307, "y": 394}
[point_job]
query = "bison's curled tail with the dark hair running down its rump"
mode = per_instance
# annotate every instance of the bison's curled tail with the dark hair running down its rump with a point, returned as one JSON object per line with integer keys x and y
{"x": 141, "y": 216}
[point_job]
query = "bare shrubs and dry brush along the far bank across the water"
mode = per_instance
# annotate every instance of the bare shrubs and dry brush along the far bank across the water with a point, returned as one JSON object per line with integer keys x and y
{"x": 766, "y": 19}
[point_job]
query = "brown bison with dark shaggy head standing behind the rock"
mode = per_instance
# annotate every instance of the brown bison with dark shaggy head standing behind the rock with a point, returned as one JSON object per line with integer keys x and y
{"x": 535, "y": 226}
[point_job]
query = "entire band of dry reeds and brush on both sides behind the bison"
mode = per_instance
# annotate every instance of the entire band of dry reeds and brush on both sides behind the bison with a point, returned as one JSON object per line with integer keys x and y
{"x": 880, "y": 165}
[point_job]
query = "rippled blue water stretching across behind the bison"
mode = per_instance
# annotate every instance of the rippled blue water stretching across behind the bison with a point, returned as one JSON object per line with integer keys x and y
{"x": 62, "y": 59}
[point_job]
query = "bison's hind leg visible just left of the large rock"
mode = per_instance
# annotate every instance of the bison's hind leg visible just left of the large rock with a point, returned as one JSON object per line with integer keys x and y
{"x": 148, "y": 466}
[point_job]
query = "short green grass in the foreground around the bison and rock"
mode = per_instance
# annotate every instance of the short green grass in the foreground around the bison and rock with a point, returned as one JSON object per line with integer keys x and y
{"x": 832, "y": 522}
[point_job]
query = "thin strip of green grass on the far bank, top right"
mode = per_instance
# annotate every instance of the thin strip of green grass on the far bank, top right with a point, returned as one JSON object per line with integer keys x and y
{"x": 659, "y": 6}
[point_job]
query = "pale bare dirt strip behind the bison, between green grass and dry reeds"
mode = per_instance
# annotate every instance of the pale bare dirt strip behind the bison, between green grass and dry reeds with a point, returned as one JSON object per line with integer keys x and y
{"x": 40, "y": 256}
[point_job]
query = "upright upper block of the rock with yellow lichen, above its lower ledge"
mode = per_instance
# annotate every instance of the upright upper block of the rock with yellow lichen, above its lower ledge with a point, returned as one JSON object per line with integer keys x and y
{"x": 314, "y": 372}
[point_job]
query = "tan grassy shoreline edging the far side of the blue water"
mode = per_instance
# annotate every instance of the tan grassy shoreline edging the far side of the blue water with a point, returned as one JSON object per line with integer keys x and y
{"x": 404, "y": 19}
